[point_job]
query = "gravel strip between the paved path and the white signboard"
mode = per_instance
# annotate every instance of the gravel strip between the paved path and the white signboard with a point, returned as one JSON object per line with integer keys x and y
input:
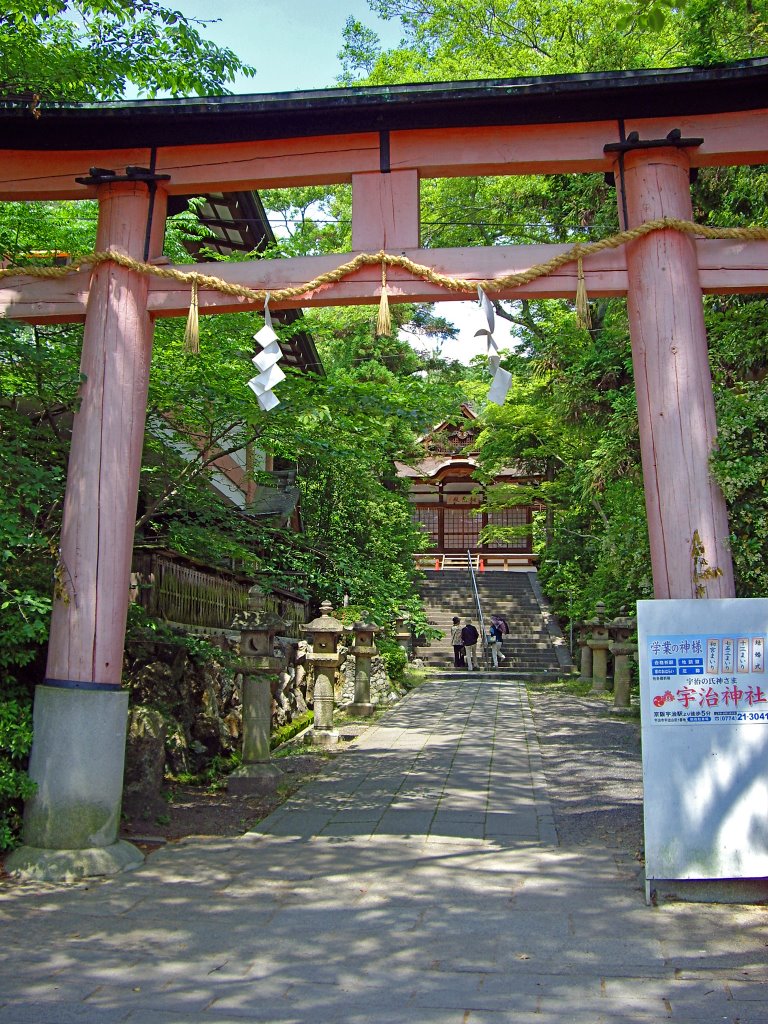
{"x": 593, "y": 765}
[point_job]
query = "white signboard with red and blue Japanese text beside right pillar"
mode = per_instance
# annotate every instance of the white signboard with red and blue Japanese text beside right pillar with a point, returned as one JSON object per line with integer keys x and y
{"x": 704, "y": 692}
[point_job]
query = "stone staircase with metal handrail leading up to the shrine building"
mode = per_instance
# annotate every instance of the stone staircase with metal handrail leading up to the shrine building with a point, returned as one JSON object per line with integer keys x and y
{"x": 534, "y": 646}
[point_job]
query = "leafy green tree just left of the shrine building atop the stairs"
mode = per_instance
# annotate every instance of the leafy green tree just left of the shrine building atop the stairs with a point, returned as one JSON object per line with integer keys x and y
{"x": 366, "y": 414}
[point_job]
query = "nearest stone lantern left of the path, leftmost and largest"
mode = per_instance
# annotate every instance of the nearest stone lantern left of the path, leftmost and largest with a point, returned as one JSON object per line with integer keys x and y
{"x": 262, "y": 671}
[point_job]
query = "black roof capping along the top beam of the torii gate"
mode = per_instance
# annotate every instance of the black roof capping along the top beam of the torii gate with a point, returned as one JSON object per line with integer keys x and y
{"x": 547, "y": 100}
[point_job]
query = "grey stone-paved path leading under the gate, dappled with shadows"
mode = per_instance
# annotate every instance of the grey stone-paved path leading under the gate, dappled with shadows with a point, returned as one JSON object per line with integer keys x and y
{"x": 419, "y": 880}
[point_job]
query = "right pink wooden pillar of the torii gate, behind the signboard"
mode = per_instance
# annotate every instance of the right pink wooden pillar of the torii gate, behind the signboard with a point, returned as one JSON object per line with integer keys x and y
{"x": 676, "y": 406}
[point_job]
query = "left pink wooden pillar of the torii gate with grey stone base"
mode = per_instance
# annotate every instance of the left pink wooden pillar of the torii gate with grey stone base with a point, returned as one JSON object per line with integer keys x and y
{"x": 72, "y": 822}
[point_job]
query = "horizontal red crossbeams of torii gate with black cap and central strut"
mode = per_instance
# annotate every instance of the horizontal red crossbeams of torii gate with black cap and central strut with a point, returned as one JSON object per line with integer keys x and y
{"x": 386, "y": 141}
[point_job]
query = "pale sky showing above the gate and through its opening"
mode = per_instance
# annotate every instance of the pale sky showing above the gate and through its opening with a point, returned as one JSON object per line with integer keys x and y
{"x": 294, "y": 46}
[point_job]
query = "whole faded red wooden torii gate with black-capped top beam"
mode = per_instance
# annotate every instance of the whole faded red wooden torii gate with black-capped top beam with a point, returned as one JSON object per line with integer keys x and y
{"x": 649, "y": 130}
